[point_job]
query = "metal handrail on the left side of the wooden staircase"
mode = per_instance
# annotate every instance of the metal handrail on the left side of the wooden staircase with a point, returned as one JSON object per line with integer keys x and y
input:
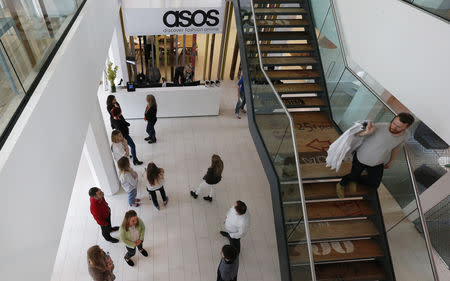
{"x": 294, "y": 140}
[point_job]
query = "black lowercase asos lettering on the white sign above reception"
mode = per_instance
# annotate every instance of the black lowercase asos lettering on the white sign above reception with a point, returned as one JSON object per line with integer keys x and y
{"x": 187, "y": 18}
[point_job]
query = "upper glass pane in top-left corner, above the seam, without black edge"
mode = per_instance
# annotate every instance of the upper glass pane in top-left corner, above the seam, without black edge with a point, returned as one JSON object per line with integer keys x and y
{"x": 32, "y": 32}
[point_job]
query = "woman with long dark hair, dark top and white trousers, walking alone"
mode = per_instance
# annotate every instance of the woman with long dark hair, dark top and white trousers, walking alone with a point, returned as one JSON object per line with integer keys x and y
{"x": 211, "y": 179}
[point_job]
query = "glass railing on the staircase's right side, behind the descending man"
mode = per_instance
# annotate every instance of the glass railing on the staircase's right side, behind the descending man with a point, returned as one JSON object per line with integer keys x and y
{"x": 351, "y": 99}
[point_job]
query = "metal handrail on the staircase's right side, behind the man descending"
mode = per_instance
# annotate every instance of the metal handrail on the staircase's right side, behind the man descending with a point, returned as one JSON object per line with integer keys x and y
{"x": 408, "y": 160}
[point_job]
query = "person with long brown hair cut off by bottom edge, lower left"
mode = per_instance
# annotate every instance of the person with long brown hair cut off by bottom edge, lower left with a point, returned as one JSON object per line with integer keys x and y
{"x": 100, "y": 265}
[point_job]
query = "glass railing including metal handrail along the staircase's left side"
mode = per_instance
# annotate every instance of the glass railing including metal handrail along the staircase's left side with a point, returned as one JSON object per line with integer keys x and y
{"x": 275, "y": 127}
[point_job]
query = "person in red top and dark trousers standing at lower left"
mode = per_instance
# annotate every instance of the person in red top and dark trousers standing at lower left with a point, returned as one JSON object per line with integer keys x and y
{"x": 102, "y": 213}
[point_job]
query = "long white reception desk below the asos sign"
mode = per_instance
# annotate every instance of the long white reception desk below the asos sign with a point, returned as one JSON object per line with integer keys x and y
{"x": 172, "y": 101}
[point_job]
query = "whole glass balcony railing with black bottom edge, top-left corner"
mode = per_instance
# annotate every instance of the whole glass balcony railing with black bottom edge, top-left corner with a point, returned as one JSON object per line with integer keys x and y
{"x": 30, "y": 33}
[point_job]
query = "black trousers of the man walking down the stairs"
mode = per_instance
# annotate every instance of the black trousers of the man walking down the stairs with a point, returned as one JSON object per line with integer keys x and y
{"x": 374, "y": 174}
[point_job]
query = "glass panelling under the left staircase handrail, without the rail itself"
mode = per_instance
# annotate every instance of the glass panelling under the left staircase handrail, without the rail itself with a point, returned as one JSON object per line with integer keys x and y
{"x": 274, "y": 127}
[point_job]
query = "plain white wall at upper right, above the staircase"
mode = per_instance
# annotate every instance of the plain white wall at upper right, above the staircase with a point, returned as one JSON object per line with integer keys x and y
{"x": 404, "y": 49}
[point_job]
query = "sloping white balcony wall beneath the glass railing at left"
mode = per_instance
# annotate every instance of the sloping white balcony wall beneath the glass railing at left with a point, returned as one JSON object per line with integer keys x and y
{"x": 39, "y": 160}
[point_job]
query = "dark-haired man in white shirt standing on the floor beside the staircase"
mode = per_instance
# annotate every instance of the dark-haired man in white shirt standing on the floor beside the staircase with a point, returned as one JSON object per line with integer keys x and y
{"x": 236, "y": 224}
